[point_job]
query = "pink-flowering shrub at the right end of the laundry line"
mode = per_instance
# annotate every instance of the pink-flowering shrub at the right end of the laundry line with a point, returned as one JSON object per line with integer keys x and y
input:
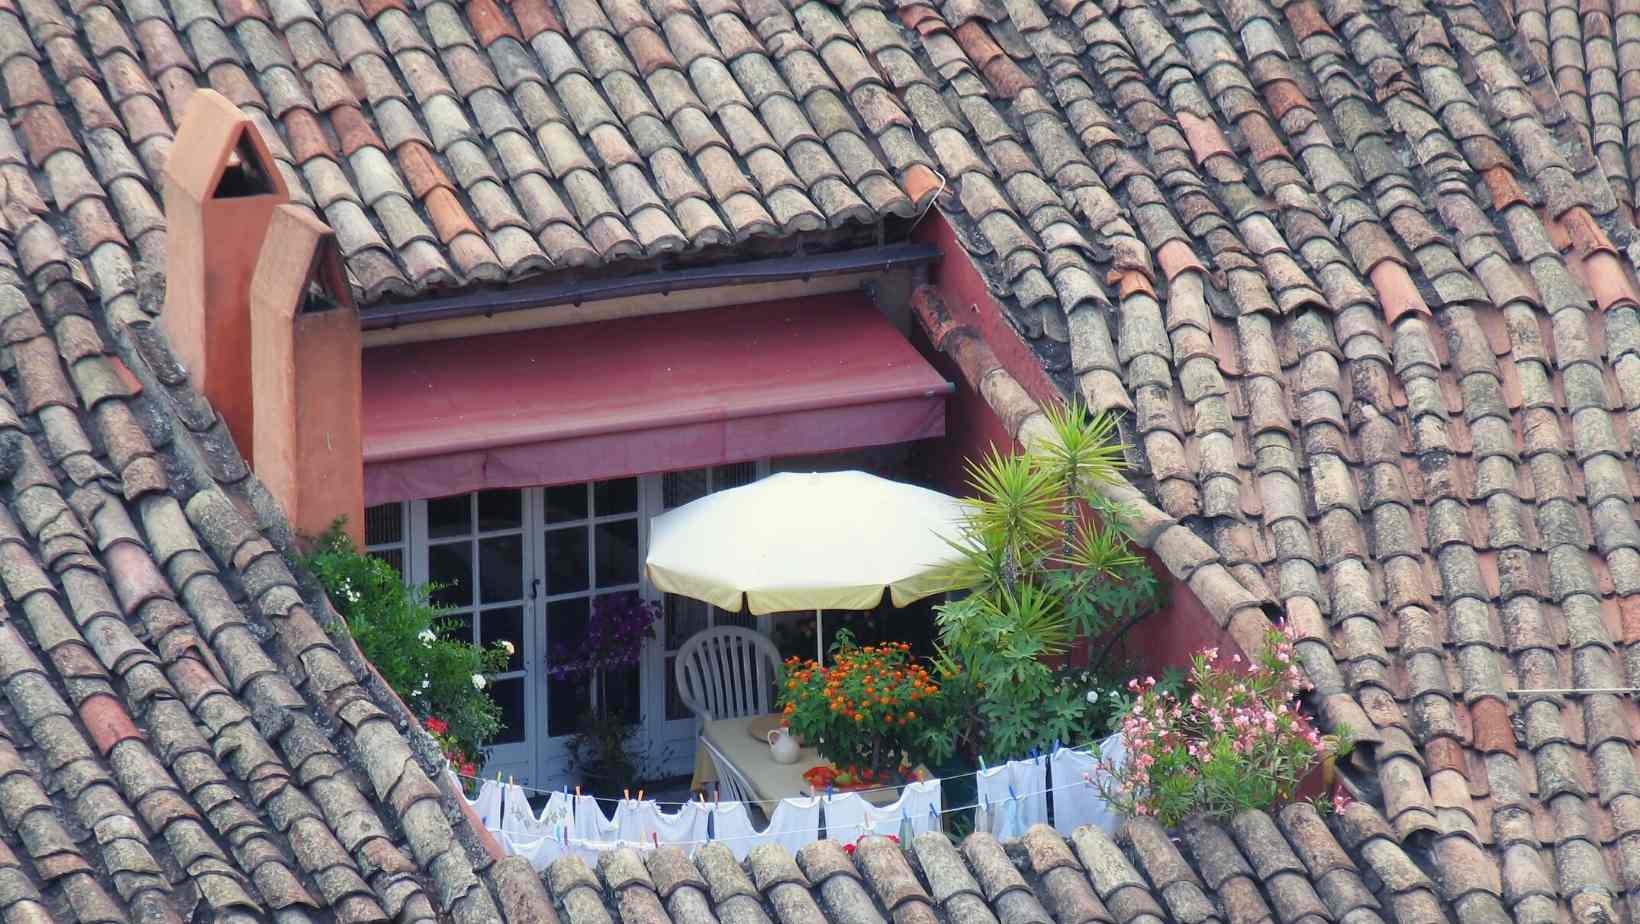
{"x": 1234, "y": 739}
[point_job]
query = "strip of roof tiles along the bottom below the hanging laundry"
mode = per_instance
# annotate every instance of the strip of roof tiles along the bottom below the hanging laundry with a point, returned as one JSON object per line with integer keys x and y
{"x": 1259, "y": 869}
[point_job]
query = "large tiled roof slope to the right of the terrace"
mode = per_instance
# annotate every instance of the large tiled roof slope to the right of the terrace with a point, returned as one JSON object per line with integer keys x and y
{"x": 1378, "y": 355}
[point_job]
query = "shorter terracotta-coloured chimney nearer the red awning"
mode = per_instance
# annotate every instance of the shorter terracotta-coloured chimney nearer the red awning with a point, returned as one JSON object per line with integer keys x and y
{"x": 306, "y": 377}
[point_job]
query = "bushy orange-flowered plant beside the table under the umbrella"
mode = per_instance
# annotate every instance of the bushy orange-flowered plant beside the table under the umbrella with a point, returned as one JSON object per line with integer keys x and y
{"x": 872, "y": 708}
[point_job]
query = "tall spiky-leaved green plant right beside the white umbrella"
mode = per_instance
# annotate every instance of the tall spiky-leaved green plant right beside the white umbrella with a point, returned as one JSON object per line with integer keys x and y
{"x": 1042, "y": 572}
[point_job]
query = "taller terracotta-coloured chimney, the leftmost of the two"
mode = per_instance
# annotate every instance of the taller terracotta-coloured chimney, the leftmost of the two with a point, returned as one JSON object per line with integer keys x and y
{"x": 221, "y": 191}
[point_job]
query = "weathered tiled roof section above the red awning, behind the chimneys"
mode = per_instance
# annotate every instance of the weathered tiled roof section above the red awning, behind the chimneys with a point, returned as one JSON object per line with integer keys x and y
{"x": 483, "y": 142}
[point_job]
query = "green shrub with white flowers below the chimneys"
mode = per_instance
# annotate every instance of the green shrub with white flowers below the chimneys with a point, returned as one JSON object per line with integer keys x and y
{"x": 411, "y": 643}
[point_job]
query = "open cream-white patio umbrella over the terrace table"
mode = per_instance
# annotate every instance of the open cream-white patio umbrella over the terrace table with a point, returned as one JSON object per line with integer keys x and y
{"x": 808, "y": 541}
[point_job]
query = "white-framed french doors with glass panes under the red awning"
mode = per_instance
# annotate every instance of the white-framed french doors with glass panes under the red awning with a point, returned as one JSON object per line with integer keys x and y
{"x": 527, "y": 567}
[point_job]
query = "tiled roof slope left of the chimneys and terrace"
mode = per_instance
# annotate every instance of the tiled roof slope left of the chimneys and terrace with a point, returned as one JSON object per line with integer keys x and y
{"x": 180, "y": 736}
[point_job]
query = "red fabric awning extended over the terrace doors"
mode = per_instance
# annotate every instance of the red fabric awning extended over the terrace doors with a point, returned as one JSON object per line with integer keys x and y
{"x": 644, "y": 395}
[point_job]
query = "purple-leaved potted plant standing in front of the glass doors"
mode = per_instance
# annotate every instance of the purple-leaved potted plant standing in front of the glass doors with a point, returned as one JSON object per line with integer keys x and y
{"x": 614, "y": 639}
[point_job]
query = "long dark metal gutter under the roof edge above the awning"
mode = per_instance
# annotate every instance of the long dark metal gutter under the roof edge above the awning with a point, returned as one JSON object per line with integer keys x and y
{"x": 575, "y": 293}
